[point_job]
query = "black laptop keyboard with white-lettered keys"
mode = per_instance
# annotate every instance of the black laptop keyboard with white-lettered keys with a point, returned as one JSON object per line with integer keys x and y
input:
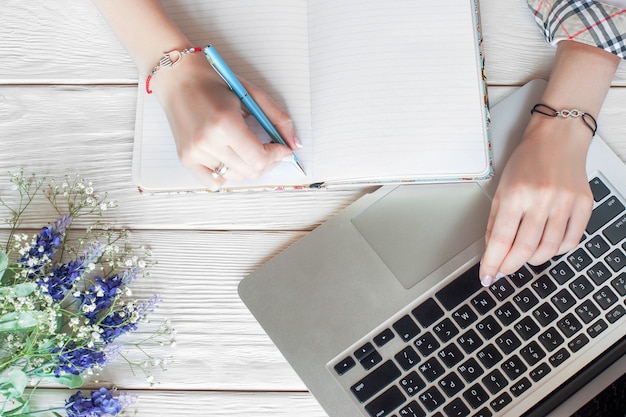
{"x": 471, "y": 351}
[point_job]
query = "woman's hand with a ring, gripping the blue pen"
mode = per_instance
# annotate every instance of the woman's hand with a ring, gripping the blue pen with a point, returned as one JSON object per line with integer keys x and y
{"x": 208, "y": 123}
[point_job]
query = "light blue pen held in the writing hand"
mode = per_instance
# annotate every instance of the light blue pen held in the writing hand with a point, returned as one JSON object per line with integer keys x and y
{"x": 231, "y": 79}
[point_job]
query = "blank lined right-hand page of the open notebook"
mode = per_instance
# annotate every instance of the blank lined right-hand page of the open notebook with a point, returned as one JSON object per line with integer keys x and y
{"x": 397, "y": 89}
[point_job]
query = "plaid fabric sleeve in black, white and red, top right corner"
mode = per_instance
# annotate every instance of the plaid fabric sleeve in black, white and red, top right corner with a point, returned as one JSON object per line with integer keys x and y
{"x": 587, "y": 21}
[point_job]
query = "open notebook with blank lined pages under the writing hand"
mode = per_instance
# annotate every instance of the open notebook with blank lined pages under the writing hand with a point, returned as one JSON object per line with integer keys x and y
{"x": 379, "y": 91}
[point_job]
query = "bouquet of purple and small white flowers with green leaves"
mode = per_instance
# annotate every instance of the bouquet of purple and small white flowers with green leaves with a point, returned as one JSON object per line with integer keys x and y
{"x": 64, "y": 300}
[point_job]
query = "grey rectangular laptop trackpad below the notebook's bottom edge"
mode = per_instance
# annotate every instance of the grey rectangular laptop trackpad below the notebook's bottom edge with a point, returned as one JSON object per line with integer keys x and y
{"x": 415, "y": 229}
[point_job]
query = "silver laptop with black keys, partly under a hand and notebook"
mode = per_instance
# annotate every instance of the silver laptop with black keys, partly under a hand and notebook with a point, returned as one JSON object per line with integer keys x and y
{"x": 380, "y": 310}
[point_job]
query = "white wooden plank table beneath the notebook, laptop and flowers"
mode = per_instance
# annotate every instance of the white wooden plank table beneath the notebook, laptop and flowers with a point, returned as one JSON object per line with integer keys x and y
{"x": 67, "y": 105}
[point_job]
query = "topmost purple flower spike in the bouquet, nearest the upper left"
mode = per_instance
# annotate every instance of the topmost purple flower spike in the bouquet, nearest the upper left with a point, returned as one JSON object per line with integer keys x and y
{"x": 46, "y": 243}
